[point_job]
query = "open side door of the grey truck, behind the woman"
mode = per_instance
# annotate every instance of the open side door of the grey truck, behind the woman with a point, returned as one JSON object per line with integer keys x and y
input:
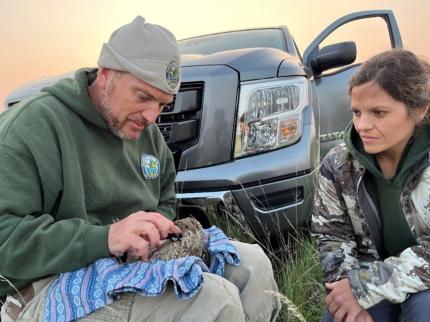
{"x": 332, "y": 84}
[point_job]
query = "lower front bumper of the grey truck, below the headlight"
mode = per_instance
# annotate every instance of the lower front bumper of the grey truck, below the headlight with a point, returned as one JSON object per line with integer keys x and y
{"x": 264, "y": 210}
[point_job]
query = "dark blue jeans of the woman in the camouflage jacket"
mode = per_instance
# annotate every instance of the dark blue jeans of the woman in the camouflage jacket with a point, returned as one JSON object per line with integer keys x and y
{"x": 416, "y": 308}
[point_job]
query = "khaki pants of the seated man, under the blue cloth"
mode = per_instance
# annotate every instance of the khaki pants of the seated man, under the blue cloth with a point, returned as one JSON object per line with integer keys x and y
{"x": 239, "y": 296}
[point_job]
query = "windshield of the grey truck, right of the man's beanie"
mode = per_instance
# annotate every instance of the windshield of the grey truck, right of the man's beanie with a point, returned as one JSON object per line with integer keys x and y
{"x": 210, "y": 44}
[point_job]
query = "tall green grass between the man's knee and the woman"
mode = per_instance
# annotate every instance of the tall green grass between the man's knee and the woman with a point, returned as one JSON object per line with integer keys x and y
{"x": 296, "y": 267}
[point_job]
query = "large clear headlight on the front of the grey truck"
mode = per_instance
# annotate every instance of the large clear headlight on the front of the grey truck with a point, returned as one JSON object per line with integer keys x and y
{"x": 270, "y": 114}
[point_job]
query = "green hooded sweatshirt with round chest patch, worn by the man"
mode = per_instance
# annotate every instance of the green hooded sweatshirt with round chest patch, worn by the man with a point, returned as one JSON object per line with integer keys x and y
{"x": 65, "y": 177}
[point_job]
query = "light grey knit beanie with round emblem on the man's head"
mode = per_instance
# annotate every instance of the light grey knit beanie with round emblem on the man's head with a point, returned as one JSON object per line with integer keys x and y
{"x": 147, "y": 51}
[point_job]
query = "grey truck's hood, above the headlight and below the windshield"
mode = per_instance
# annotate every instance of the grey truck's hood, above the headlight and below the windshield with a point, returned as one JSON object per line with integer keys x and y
{"x": 250, "y": 63}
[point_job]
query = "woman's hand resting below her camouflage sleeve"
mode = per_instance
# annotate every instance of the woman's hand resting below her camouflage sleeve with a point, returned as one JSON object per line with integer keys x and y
{"x": 343, "y": 305}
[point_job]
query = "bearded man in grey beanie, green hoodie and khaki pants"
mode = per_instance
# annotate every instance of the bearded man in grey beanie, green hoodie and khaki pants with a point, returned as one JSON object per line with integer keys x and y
{"x": 85, "y": 174}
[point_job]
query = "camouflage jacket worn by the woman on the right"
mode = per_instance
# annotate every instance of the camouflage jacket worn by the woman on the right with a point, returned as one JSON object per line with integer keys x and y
{"x": 346, "y": 225}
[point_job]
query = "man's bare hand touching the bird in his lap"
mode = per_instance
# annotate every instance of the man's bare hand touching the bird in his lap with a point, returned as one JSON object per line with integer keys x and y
{"x": 139, "y": 233}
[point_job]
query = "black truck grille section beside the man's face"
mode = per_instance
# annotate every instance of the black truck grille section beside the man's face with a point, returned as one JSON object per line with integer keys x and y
{"x": 180, "y": 121}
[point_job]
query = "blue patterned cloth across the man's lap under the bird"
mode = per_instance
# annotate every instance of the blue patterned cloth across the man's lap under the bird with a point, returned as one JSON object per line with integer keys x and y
{"x": 75, "y": 294}
